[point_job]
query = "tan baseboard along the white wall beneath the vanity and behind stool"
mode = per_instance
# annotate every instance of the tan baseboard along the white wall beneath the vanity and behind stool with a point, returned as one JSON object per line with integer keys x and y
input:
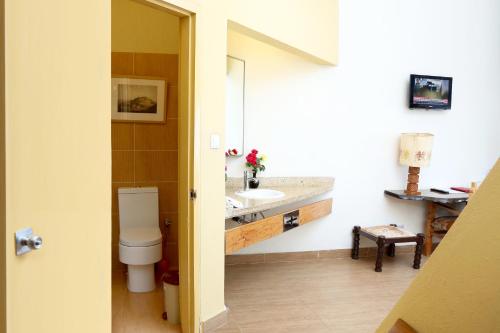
{"x": 239, "y": 259}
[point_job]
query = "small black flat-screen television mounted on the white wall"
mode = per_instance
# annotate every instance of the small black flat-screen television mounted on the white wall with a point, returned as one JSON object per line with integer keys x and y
{"x": 430, "y": 92}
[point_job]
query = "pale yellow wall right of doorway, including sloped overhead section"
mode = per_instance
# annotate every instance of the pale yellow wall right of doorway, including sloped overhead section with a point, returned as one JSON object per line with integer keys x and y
{"x": 288, "y": 31}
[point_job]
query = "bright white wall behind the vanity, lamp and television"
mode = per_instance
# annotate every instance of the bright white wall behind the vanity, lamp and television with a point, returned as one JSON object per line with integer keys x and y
{"x": 345, "y": 121}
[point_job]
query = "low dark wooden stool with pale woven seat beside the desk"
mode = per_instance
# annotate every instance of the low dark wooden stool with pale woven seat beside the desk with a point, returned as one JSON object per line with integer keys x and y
{"x": 387, "y": 235}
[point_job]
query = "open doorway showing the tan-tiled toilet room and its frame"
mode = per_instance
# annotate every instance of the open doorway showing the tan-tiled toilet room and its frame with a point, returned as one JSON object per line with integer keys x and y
{"x": 152, "y": 69}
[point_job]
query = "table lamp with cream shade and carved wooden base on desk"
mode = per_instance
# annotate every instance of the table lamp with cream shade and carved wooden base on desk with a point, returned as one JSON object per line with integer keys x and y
{"x": 415, "y": 152}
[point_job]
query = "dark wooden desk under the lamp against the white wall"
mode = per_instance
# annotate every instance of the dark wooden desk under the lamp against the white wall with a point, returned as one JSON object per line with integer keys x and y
{"x": 434, "y": 201}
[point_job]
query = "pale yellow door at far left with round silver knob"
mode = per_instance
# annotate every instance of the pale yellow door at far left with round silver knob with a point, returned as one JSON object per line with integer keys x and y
{"x": 58, "y": 164}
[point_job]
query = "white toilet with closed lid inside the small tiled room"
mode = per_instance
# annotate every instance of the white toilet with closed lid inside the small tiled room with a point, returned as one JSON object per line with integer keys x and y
{"x": 140, "y": 236}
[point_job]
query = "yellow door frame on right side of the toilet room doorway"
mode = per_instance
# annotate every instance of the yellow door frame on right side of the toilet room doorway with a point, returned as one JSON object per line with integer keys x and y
{"x": 188, "y": 166}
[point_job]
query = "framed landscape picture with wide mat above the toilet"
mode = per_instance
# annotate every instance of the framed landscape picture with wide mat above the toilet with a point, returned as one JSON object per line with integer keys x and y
{"x": 139, "y": 99}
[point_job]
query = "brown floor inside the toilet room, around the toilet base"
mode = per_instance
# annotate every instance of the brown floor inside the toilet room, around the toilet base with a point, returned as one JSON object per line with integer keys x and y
{"x": 138, "y": 312}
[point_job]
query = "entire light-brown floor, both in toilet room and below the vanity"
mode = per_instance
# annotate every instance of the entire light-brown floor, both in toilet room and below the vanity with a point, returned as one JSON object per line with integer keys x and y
{"x": 325, "y": 295}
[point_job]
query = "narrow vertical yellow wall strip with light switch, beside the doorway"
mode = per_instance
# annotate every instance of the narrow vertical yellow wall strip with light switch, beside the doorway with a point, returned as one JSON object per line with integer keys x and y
{"x": 210, "y": 103}
